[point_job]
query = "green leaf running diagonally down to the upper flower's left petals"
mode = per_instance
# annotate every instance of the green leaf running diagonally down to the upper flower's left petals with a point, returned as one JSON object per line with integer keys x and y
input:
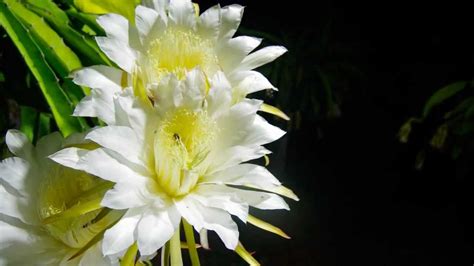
{"x": 59, "y": 20}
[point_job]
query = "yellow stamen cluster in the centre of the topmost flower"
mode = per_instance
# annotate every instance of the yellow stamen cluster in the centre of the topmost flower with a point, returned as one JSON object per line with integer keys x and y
{"x": 177, "y": 51}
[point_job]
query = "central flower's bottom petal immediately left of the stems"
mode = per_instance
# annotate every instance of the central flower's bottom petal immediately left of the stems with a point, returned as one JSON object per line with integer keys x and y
{"x": 155, "y": 228}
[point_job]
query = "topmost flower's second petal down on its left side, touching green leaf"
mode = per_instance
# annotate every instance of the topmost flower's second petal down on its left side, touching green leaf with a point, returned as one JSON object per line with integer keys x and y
{"x": 118, "y": 51}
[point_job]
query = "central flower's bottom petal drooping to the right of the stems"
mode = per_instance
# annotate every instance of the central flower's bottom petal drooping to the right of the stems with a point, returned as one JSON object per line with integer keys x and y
{"x": 210, "y": 218}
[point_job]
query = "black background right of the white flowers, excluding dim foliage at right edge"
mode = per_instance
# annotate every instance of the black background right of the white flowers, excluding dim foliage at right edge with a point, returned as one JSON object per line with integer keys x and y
{"x": 362, "y": 202}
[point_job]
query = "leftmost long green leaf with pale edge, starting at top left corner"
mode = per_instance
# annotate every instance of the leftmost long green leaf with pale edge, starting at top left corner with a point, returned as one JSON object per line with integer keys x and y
{"x": 56, "y": 98}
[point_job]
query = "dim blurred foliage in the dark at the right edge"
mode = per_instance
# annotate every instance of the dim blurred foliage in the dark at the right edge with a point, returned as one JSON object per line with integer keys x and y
{"x": 446, "y": 123}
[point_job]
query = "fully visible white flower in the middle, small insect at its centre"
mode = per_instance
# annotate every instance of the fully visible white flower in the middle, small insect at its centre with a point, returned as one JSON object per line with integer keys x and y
{"x": 177, "y": 159}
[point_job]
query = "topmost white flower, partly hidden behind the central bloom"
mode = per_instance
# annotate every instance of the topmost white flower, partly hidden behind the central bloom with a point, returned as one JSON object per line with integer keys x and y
{"x": 169, "y": 38}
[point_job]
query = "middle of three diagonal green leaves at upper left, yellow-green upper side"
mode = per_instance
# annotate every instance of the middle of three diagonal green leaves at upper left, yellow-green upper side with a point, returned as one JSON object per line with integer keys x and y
{"x": 59, "y": 56}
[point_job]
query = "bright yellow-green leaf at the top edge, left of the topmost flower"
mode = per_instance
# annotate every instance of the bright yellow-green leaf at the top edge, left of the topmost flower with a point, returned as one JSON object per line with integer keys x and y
{"x": 125, "y": 8}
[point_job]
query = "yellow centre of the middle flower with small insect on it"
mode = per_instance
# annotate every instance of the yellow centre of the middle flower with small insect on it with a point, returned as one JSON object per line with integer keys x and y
{"x": 182, "y": 143}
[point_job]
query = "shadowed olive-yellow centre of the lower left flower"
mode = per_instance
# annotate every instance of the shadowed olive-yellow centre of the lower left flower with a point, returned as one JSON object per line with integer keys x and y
{"x": 60, "y": 191}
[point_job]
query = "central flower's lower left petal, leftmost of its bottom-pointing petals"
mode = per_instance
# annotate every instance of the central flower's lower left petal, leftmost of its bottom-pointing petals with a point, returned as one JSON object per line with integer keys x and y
{"x": 122, "y": 235}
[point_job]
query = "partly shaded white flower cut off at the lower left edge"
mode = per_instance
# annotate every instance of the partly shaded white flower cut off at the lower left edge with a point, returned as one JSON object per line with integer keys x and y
{"x": 33, "y": 188}
